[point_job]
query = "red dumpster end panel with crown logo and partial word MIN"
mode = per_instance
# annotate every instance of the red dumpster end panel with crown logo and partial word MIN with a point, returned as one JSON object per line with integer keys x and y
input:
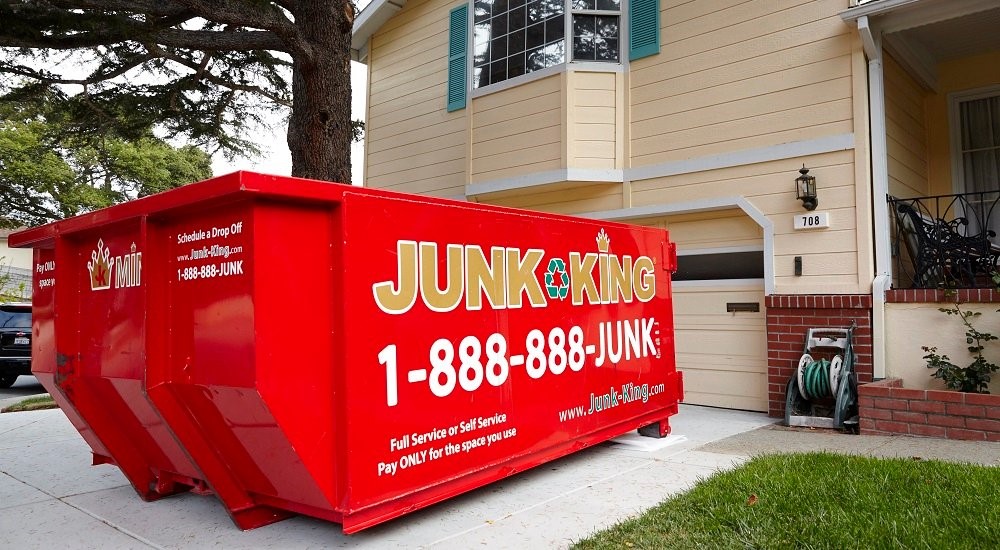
{"x": 100, "y": 335}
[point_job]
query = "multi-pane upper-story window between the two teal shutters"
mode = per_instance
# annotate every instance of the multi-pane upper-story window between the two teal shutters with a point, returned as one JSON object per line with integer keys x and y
{"x": 516, "y": 37}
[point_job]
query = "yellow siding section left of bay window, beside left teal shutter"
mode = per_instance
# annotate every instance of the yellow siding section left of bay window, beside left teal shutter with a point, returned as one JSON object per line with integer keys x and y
{"x": 413, "y": 143}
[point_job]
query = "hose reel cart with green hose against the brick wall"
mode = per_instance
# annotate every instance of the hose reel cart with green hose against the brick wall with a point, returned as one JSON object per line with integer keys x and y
{"x": 823, "y": 391}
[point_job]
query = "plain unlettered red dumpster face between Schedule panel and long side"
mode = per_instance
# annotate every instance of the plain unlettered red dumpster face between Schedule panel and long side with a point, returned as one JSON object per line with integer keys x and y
{"x": 294, "y": 295}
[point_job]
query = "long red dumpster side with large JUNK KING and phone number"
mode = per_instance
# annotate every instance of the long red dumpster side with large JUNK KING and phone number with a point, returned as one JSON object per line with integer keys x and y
{"x": 484, "y": 342}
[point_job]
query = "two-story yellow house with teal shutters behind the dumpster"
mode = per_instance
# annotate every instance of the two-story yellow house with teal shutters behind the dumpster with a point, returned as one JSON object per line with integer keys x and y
{"x": 697, "y": 116}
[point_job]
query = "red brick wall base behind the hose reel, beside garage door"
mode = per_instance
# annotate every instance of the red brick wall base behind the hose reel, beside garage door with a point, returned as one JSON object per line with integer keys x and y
{"x": 788, "y": 318}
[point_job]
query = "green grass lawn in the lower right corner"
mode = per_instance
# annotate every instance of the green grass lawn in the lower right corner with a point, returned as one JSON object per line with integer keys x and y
{"x": 823, "y": 500}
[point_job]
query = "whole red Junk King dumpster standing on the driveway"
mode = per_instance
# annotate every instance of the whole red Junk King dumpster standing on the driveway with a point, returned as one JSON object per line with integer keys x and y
{"x": 346, "y": 353}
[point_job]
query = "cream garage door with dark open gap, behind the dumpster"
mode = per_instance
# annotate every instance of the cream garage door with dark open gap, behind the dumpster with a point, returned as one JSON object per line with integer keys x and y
{"x": 719, "y": 322}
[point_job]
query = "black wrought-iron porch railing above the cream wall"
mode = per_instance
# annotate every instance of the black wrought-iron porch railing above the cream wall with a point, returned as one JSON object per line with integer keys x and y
{"x": 947, "y": 241}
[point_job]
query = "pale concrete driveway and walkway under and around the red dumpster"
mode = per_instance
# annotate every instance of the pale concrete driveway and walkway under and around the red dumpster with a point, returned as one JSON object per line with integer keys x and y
{"x": 51, "y": 497}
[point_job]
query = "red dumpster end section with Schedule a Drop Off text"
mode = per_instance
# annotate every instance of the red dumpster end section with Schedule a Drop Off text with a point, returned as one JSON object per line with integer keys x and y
{"x": 246, "y": 344}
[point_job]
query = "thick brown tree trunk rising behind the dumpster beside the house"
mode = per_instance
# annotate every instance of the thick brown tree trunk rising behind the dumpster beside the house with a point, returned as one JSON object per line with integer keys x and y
{"x": 319, "y": 131}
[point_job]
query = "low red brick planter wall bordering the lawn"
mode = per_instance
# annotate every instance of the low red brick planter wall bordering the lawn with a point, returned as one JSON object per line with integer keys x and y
{"x": 886, "y": 408}
